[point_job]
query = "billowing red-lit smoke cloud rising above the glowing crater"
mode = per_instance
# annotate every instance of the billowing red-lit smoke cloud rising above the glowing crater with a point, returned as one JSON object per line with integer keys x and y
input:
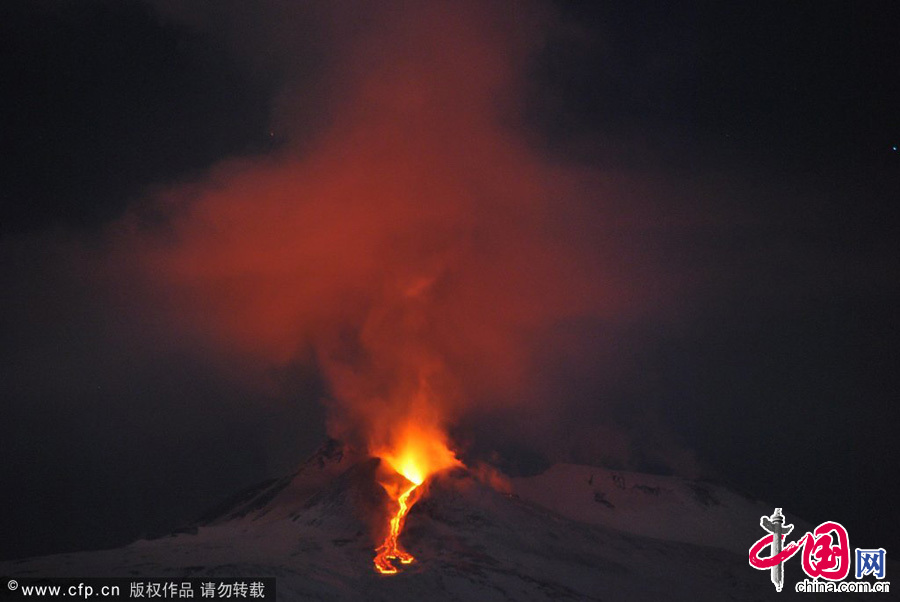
{"x": 417, "y": 246}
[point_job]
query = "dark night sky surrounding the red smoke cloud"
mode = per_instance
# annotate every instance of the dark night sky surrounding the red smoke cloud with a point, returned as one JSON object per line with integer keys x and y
{"x": 764, "y": 137}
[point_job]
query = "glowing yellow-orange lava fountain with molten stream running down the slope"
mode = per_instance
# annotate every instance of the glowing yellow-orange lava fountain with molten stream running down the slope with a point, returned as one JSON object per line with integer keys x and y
{"x": 422, "y": 452}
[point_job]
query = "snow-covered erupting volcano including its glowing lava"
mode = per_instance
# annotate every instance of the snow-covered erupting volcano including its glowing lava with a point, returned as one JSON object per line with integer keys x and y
{"x": 649, "y": 538}
